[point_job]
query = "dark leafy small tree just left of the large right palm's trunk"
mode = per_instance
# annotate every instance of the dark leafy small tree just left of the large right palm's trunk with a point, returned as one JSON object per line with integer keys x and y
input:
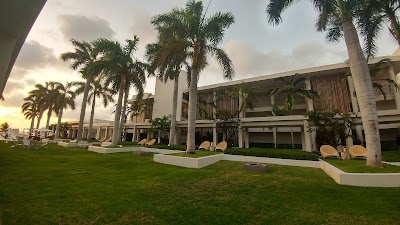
{"x": 332, "y": 128}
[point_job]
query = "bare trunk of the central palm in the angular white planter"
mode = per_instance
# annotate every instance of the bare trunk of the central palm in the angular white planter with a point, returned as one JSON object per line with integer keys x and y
{"x": 190, "y": 141}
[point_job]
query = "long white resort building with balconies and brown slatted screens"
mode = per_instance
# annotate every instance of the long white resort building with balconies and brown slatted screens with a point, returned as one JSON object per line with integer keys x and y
{"x": 262, "y": 125}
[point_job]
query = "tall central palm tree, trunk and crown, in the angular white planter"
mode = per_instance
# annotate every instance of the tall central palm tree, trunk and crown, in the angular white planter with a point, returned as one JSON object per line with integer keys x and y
{"x": 201, "y": 37}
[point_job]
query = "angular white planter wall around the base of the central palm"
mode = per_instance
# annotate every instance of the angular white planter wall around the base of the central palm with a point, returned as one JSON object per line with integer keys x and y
{"x": 187, "y": 161}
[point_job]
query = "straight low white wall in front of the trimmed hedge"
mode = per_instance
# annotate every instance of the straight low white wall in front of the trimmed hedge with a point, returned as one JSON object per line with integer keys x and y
{"x": 286, "y": 162}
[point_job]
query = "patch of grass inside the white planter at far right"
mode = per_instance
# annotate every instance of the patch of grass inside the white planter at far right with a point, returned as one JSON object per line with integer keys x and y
{"x": 358, "y": 166}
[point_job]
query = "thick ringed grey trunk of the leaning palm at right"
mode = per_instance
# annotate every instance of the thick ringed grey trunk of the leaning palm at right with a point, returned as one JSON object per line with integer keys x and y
{"x": 364, "y": 91}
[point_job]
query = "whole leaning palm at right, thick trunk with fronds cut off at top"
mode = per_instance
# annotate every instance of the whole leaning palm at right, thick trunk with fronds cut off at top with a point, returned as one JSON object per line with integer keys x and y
{"x": 336, "y": 17}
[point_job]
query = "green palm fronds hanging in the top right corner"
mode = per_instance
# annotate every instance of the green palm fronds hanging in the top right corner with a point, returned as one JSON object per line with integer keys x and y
{"x": 374, "y": 14}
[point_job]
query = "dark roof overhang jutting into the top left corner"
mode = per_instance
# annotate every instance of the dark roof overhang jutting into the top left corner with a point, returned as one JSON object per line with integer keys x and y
{"x": 16, "y": 20}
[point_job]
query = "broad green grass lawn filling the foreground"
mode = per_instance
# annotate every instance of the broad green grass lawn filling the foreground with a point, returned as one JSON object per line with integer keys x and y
{"x": 73, "y": 186}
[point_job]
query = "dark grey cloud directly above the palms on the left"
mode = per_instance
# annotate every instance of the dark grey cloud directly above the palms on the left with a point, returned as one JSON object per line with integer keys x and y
{"x": 85, "y": 28}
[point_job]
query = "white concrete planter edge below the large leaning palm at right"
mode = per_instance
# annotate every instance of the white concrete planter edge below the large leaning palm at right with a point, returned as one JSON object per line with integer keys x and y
{"x": 361, "y": 179}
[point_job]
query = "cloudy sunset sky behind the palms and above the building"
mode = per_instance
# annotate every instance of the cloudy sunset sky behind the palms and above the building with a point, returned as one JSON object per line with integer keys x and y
{"x": 255, "y": 47}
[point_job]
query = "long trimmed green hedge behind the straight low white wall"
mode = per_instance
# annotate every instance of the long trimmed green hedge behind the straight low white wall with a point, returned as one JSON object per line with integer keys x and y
{"x": 273, "y": 153}
